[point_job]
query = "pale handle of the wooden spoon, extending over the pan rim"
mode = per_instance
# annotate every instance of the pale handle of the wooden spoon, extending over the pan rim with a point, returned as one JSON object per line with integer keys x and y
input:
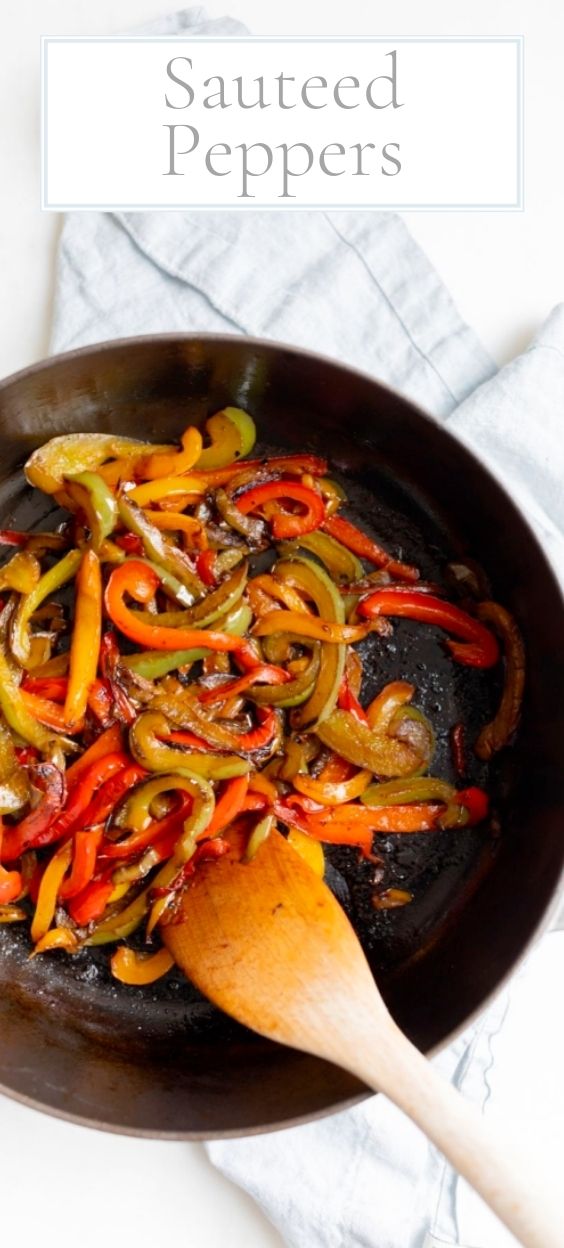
{"x": 500, "y": 1172}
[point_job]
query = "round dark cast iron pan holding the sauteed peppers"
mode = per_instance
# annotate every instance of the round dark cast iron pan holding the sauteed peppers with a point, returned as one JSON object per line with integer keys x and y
{"x": 162, "y": 1061}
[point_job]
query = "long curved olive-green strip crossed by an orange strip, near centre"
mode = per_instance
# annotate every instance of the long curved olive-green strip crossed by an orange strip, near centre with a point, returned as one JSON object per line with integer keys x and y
{"x": 308, "y": 576}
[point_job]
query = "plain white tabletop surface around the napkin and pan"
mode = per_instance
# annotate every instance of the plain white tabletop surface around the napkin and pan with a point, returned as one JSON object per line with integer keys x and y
{"x": 506, "y": 271}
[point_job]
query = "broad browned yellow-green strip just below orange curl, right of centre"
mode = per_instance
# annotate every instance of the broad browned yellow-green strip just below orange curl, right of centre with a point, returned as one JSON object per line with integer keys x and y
{"x": 376, "y": 752}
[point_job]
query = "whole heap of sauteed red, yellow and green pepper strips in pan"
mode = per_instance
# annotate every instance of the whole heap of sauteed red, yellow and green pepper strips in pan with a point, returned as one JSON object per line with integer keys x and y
{"x": 174, "y": 685}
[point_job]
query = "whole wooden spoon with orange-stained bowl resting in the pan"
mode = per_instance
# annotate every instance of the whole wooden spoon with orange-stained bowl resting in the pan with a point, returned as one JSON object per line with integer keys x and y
{"x": 269, "y": 944}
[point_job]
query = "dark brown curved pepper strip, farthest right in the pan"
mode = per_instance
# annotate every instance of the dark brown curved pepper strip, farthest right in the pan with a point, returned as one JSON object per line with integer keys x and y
{"x": 496, "y": 734}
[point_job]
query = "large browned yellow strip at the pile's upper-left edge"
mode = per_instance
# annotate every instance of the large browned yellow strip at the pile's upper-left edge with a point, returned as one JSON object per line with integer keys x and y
{"x": 73, "y": 454}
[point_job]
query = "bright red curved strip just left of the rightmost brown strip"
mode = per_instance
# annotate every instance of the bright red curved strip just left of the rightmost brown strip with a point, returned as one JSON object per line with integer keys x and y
{"x": 480, "y": 647}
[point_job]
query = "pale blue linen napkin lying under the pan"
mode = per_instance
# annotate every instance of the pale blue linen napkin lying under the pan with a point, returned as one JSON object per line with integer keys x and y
{"x": 356, "y": 286}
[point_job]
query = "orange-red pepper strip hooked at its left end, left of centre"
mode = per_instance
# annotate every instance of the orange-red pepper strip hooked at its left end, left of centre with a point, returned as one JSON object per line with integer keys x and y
{"x": 142, "y": 582}
